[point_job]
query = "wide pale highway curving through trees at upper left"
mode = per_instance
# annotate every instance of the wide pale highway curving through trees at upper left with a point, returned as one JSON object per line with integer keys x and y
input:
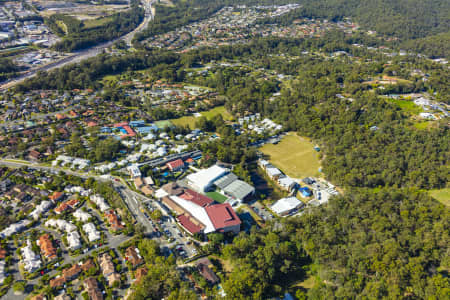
{"x": 91, "y": 52}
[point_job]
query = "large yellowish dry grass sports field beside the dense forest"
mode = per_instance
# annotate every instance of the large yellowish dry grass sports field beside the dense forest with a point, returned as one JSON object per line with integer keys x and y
{"x": 294, "y": 155}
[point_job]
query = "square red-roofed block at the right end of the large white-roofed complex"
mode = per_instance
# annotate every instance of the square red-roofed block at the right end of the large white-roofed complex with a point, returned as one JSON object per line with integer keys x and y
{"x": 223, "y": 217}
